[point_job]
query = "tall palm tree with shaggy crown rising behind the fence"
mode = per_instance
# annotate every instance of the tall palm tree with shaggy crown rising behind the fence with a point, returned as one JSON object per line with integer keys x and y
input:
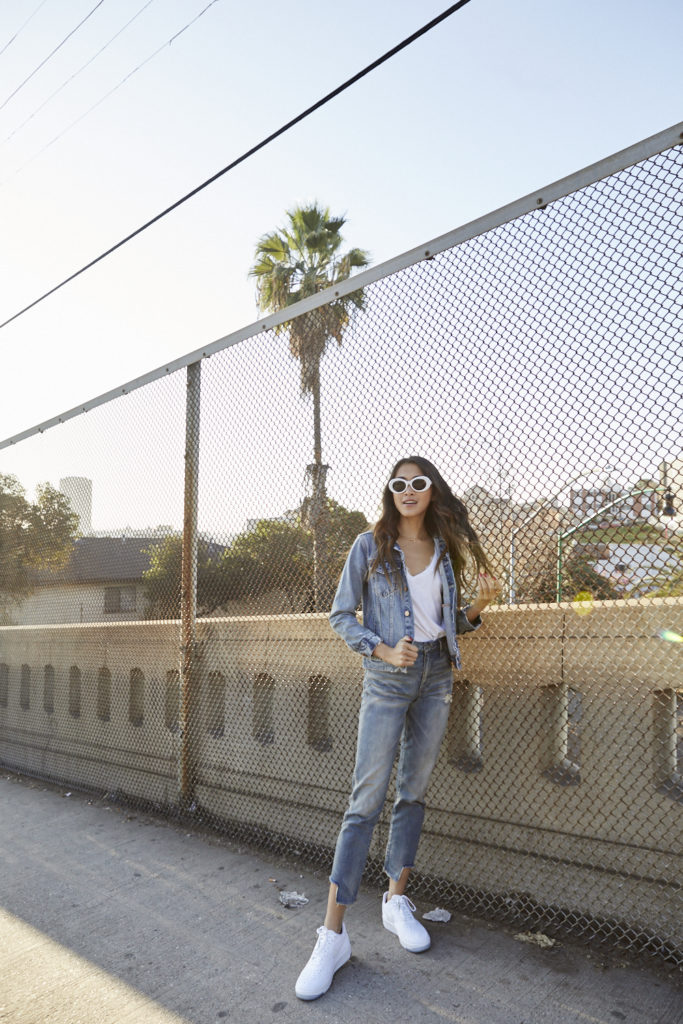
{"x": 292, "y": 264}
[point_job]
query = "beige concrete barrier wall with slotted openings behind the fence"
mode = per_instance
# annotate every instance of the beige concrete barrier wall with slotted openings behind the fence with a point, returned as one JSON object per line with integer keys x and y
{"x": 559, "y": 784}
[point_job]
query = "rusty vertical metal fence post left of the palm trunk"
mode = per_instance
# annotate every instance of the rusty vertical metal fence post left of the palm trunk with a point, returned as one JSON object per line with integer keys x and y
{"x": 189, "y": 710}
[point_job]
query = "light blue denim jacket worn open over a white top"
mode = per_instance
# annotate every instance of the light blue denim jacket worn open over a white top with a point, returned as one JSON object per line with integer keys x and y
{"x": 388, "y": 611}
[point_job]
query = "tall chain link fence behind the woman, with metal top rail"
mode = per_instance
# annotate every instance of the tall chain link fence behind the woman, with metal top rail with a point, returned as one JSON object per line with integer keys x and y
{"x": 164, "y": 608}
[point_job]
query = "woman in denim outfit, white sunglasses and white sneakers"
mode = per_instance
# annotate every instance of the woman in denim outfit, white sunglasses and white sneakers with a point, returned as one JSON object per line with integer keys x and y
{"x": 407, "y": 575}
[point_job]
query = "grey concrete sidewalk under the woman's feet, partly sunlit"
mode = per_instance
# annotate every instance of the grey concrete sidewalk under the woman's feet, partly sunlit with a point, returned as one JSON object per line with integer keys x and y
{"x": 109, "y": 916}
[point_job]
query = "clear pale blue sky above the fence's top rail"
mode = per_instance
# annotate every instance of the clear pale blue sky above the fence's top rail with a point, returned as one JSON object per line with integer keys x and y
{"x": 496, "y": 103}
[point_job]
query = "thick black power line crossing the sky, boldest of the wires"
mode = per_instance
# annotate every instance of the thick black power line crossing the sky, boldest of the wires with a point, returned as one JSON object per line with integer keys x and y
{"x": 245, "y": 156}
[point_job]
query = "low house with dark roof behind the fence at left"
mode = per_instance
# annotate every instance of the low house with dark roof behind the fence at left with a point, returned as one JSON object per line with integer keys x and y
{"x": 102, "y": 582}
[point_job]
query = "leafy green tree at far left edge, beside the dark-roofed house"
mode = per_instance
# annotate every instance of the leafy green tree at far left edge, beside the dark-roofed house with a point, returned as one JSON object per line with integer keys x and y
{"x": 34, "y": 536}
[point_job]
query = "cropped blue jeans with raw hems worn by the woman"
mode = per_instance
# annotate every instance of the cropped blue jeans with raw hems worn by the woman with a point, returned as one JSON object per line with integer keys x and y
{"x": 412, "y": 709}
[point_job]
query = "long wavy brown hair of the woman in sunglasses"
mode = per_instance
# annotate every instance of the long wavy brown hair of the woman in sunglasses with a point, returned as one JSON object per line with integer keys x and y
{"x": 446, "y": 518}
